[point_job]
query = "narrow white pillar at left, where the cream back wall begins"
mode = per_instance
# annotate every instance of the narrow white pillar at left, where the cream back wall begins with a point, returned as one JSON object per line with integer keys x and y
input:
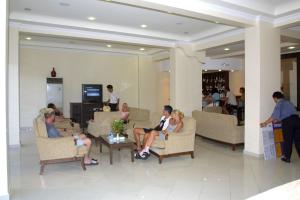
{"x": 13, "y": 85}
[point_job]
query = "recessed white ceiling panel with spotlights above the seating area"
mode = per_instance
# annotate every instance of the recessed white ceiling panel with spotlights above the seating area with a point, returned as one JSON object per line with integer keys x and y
{"x": 119, "y": 18}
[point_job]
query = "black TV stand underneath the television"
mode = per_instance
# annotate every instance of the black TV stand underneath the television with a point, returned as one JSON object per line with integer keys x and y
{"x": 83, "y": 112}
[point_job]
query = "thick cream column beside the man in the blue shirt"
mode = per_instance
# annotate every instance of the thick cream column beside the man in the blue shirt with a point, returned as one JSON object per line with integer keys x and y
{"x": 262, "y": 78}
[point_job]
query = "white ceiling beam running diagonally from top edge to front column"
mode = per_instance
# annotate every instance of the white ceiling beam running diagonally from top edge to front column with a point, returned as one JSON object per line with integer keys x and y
{"x": 196, "y": 9}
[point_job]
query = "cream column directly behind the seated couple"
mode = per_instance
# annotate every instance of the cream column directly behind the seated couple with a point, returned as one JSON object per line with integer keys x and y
{"x": 186, "y": 79}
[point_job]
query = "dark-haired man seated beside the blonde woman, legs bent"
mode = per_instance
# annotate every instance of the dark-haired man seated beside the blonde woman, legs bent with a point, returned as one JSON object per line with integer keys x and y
{"x": 163, "y": 124}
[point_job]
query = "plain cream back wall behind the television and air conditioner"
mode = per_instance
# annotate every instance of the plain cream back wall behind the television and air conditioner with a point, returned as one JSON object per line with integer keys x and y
{"x": 133, "y": 77}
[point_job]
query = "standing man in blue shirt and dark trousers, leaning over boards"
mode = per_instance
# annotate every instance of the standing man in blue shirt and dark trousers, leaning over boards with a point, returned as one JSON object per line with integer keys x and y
{"x": 285, "y": 112}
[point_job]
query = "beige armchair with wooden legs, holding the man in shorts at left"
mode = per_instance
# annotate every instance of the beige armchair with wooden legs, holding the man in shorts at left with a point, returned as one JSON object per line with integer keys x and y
{"x": 55, "y": 150}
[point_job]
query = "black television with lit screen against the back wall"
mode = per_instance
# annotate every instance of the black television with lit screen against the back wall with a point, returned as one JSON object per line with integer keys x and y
{"x": 92, "y": 93}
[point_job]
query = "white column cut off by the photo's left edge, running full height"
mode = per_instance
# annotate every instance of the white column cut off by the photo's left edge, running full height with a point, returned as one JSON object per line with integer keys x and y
{"x": 3, "y": 66}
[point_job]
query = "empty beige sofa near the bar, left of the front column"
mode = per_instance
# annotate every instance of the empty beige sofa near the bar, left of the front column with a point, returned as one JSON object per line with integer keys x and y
{"x": 219, "y": 127}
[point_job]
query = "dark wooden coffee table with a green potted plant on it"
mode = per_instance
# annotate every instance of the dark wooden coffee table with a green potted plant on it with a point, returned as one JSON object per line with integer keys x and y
{"x": 126, "y": 143}
